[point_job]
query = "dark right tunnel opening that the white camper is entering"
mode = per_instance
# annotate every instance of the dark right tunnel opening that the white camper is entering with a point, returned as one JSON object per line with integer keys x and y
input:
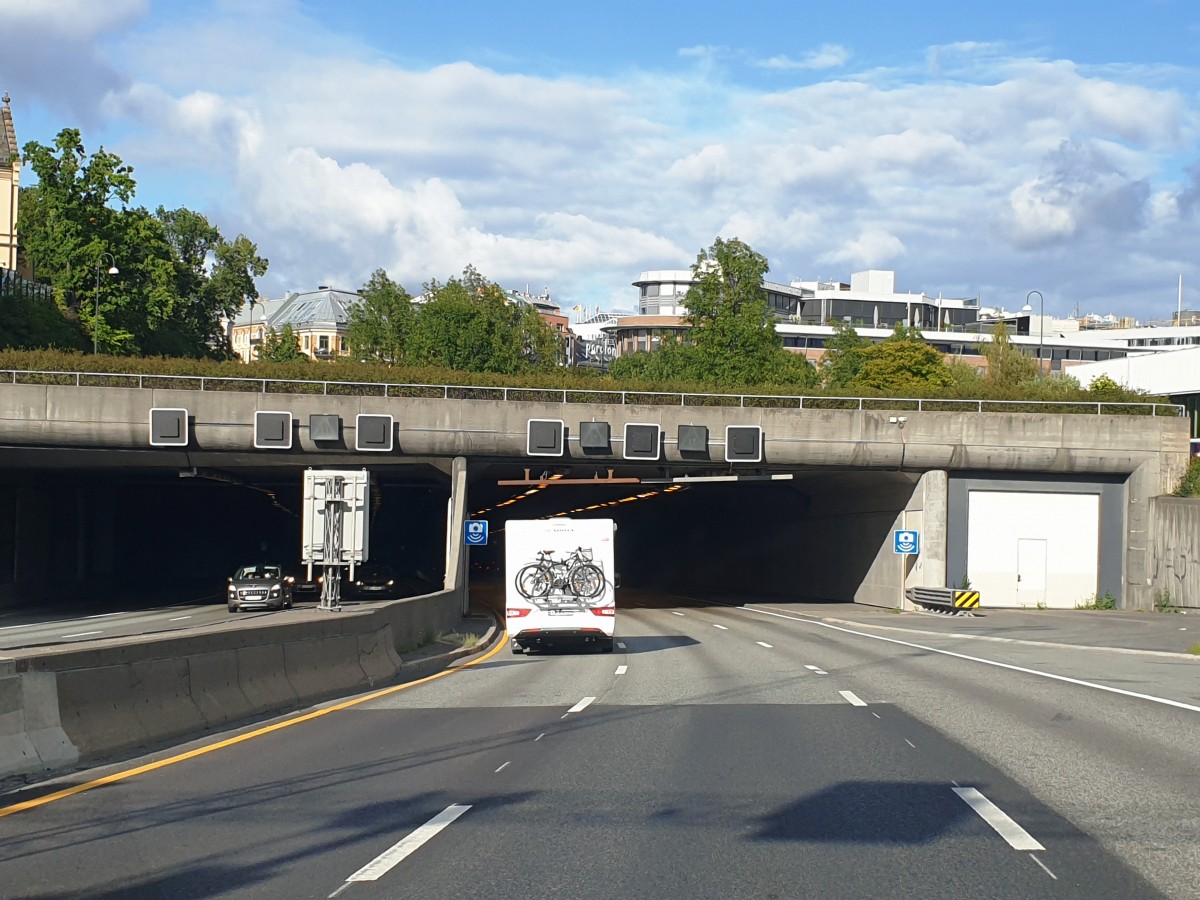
{"x": 809, "y": 539}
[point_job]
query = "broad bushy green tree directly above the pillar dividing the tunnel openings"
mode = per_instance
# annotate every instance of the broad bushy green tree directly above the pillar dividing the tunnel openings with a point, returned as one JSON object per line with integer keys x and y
{"x": 467, "y": 325}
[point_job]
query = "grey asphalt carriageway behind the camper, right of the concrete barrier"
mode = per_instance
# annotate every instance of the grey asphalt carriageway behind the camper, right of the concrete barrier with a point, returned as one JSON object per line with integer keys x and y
{"x": 722, "y": 753}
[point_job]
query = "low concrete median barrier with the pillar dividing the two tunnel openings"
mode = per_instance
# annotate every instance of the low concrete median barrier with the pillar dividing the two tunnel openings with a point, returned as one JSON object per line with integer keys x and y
{"x": 107, "y": 698}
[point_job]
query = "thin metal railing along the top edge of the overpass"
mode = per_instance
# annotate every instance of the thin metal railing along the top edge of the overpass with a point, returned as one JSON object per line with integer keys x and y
{"x": 572, "y": 395}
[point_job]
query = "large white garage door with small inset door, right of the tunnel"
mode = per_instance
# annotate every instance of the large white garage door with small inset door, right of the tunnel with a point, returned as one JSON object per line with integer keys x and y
{"x": 1030, "y": 549}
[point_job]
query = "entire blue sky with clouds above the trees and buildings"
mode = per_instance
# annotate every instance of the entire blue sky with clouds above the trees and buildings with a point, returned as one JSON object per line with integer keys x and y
{"x": 993, "y": 152}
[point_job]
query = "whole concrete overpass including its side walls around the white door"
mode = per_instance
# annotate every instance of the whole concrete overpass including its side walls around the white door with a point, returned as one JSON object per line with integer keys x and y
{"x": 925, "y": 457}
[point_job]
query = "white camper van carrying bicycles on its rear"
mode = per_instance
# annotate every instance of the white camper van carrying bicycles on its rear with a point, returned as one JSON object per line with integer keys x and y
{"x": 560, "y": 583}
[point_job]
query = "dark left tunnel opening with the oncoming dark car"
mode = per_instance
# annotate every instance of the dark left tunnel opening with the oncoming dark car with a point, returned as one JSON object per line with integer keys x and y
{"x": 92, "y": 541}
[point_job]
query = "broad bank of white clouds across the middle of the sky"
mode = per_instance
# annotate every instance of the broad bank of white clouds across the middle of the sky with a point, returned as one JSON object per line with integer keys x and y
{"x": 338, "y": 163}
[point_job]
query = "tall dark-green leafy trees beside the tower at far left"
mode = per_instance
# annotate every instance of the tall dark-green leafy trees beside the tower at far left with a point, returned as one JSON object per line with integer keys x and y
{"x": 177, "y": 275}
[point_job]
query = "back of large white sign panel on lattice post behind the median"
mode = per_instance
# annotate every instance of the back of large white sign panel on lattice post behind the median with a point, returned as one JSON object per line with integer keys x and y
{"x": 334, "y": 520}
